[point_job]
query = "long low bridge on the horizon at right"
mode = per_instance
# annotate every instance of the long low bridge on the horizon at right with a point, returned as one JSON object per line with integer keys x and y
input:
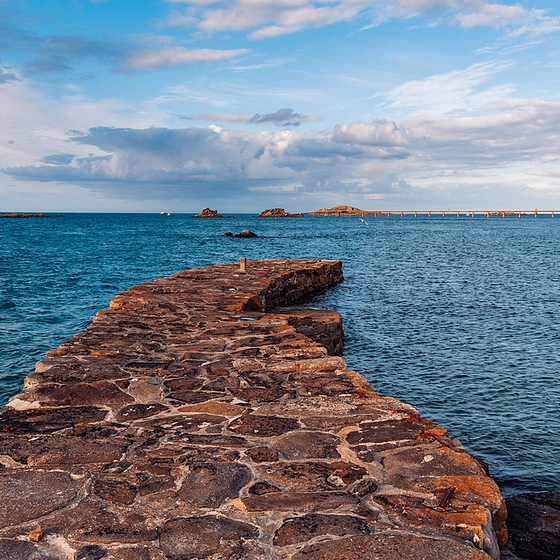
{"x": 430, "y": 213}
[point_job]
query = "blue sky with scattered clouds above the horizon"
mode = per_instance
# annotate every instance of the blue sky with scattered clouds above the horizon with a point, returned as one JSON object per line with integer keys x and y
{"x": 242, "y": 105}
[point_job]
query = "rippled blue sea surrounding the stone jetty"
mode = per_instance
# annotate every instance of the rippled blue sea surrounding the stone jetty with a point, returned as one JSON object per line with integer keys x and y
{"x": 458, "y": 317}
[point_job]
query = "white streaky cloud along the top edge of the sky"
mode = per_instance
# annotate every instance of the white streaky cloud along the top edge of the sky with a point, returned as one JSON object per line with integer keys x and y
{"x": 264, "y": 19}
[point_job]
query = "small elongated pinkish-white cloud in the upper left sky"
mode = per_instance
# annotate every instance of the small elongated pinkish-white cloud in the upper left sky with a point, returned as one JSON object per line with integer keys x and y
{"x": 176, "y": 56}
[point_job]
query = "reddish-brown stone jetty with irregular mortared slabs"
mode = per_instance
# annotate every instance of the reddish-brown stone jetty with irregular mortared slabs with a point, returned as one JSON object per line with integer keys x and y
{"x": 198, "y": 418}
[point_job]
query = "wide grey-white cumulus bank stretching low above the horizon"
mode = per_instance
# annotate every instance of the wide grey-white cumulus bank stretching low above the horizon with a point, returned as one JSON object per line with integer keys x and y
{"x": 369, "y": 158}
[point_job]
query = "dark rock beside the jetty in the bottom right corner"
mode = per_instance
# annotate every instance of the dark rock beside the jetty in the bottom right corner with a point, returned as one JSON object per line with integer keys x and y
{"x": 534, "y": 525}
